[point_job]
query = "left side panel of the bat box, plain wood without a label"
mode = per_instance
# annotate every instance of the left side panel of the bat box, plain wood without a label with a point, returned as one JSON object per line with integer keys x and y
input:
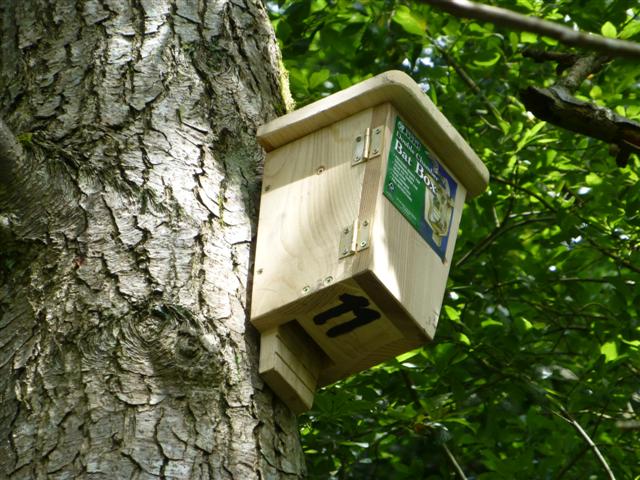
{"x": 310, "y": 193}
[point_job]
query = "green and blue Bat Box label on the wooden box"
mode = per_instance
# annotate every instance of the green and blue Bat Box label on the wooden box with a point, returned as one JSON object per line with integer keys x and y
{"x": 420, "y": 188}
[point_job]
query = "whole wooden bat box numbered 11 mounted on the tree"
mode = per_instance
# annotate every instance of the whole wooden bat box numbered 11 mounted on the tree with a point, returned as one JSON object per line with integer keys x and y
{"x": 361, "y": 202}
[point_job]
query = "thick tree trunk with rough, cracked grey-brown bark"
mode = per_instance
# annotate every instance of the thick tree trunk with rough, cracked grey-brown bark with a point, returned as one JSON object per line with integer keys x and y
{"x": 126, "y": 238}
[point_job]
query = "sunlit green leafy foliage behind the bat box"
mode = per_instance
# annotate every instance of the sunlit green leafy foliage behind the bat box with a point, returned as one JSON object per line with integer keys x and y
{"x": 540, "y": 326}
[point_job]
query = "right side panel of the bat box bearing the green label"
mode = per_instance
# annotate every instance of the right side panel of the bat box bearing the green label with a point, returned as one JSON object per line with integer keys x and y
{"x": 411, "y": 257}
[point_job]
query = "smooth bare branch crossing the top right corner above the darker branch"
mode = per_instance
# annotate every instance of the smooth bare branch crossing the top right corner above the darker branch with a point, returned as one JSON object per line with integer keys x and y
{"x": 509, "y": 19}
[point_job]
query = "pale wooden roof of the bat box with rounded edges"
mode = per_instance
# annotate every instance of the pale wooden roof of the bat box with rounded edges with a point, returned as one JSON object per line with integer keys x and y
{"x": 399, "y": 89}
